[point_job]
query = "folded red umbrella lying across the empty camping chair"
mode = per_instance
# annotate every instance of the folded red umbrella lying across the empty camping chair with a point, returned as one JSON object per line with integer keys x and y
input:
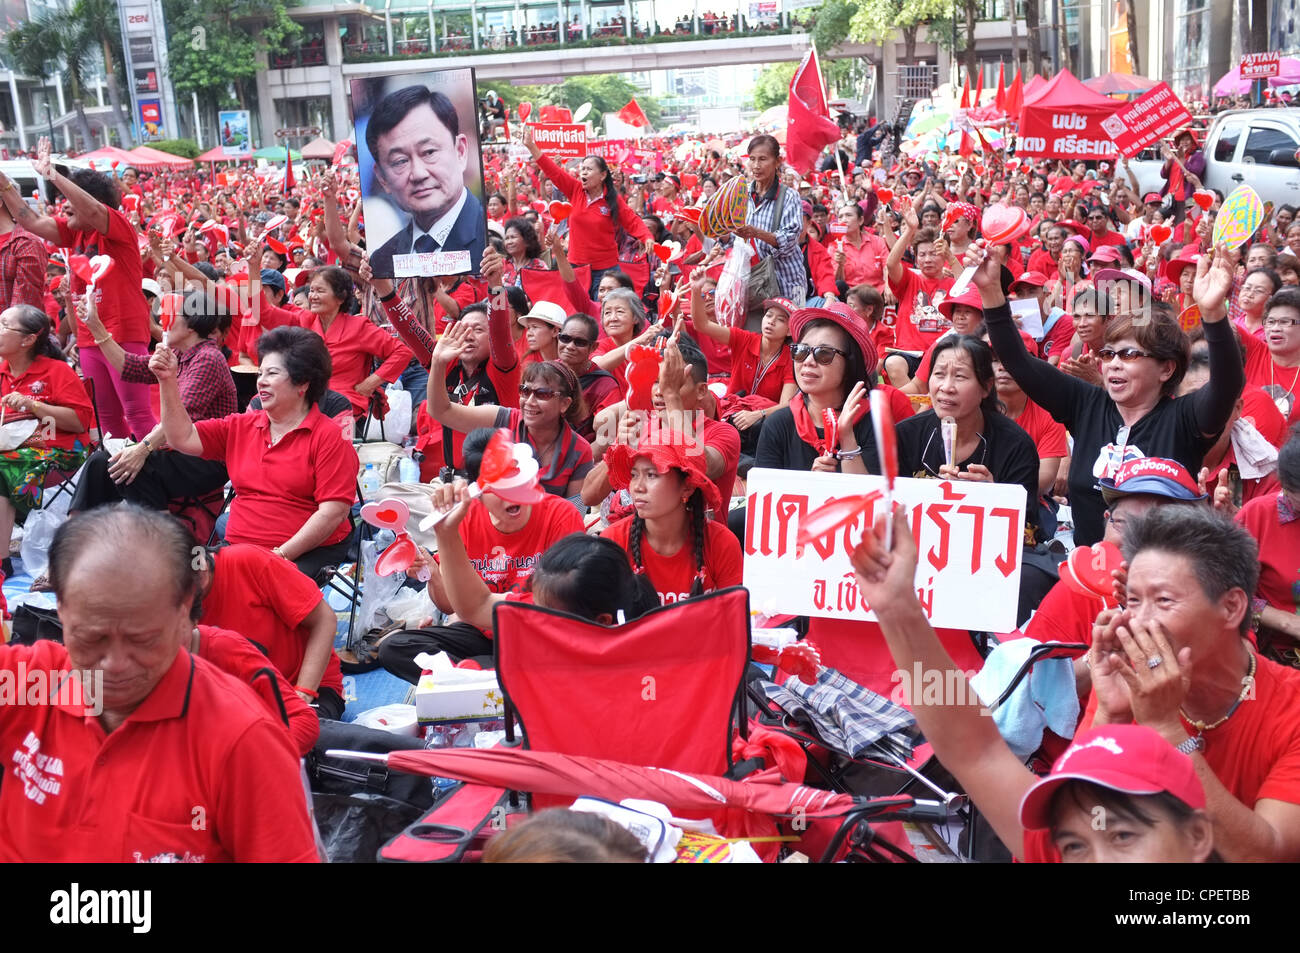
{"x": 549, "y": 773}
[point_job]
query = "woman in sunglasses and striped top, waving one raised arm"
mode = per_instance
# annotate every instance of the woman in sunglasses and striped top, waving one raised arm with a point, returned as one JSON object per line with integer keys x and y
{"x": 551, "y": 405}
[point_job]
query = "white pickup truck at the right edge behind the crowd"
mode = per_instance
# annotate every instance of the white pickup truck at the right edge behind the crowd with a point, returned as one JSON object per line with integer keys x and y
{"x": 1254, "y": 146}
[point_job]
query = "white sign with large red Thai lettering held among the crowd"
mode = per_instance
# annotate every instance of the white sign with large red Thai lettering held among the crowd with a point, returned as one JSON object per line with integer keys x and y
{"x": 969, "y": 538}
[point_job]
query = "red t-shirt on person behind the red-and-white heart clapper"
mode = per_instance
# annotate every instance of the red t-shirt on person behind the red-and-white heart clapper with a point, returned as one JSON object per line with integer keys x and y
{"x": 506, "y": 561}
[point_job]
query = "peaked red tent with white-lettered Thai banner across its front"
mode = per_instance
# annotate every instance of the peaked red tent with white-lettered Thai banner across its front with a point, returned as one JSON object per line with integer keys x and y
{"x": 1063, "y": 120}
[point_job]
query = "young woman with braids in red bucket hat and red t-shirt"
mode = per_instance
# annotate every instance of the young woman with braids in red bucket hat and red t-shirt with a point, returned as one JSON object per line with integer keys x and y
{"x": 671, "y": 539}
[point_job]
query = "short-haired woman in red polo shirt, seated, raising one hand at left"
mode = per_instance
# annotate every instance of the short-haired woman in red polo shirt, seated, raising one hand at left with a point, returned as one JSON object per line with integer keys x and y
{"x": 293, "y": 470}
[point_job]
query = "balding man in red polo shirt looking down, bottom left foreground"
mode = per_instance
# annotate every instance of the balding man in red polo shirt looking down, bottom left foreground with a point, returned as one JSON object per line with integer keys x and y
{"x": 168, "y": 760}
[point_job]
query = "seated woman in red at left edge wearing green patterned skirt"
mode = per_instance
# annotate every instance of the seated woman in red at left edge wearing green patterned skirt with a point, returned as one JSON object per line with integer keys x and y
{"x": 37, "y": 389}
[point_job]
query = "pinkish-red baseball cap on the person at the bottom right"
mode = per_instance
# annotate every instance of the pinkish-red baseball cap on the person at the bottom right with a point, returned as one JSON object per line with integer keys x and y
{"x": 1129, "y": 759}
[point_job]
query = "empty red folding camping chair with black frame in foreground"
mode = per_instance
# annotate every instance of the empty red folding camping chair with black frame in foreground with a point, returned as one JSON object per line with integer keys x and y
{"x": 665, "y": 690}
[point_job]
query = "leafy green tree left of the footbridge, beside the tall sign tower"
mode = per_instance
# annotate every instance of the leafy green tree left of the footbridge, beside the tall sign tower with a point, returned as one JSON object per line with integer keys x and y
{"x": 215, "y": 46}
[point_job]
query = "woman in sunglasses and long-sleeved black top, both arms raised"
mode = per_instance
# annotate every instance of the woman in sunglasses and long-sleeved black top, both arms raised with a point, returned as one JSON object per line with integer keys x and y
{"x": 1136, "y": 413}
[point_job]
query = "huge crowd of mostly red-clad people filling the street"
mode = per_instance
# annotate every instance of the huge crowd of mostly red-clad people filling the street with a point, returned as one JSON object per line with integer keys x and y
{"x": 1139, "y": 384}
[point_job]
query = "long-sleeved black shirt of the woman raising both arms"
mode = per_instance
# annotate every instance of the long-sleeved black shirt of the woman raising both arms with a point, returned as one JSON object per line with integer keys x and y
{"x": 1178, "y": 428}
